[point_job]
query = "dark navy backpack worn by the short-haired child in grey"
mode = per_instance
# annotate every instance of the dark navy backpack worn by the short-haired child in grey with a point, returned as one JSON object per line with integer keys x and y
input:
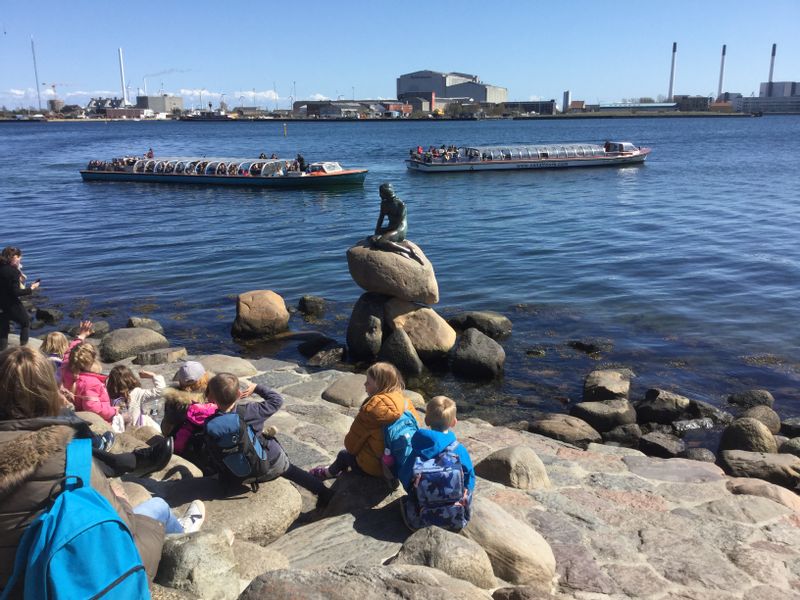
{"x": 236, "y": 450}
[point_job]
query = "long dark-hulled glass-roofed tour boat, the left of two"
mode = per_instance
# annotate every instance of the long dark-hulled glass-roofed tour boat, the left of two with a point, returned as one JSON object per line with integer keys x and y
{"x": 282, "y": 173}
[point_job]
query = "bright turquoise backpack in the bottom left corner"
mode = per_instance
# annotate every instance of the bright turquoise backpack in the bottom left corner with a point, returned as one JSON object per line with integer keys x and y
{"x": 79, "y": 547}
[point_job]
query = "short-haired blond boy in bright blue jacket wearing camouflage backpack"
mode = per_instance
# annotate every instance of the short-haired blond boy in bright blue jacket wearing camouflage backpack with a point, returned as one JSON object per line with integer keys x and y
{"x": 436, "y": 450}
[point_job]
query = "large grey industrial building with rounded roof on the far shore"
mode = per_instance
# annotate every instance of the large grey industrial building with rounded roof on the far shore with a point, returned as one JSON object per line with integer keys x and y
{"x": 430, "y": 85}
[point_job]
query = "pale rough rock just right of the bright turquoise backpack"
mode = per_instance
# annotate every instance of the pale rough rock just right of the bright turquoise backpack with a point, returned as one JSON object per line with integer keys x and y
{"x": 200, "y": 563}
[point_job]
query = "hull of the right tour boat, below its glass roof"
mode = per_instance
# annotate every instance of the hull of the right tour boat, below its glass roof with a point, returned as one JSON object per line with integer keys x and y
{"x": 514, "y": 165}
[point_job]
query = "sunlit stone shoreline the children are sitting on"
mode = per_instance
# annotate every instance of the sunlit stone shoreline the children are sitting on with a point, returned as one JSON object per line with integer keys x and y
{"x": 552, "y": 519}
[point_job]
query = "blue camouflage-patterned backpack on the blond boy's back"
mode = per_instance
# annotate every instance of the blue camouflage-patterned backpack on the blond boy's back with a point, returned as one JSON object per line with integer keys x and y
{"x": 438, "y": 496}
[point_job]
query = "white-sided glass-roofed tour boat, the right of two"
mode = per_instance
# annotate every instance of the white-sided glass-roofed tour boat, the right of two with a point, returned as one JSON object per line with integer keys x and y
{"x": 513, "y": 157}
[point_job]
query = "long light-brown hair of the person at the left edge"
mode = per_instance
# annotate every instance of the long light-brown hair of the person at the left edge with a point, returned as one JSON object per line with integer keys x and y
{"x": 28, "y": 385}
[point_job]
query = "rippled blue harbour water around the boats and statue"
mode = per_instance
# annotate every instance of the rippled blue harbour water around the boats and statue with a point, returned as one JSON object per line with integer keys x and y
{"x": 686, "y": 269}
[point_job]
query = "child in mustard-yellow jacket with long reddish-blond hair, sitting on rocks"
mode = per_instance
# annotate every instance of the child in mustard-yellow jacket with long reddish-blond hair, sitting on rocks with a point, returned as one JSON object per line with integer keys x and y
{"x": 363, "y": 444}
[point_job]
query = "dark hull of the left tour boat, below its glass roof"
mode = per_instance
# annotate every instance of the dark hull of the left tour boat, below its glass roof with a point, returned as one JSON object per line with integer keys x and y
{"x": 344, "y": 178}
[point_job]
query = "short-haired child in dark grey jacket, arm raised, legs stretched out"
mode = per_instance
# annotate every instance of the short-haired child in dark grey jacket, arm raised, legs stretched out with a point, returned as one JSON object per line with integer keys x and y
{"x": 223, "y": 390}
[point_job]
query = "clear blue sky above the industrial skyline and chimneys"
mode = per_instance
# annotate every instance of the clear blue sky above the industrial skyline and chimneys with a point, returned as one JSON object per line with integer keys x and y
{"x": 268, "y": 53}
